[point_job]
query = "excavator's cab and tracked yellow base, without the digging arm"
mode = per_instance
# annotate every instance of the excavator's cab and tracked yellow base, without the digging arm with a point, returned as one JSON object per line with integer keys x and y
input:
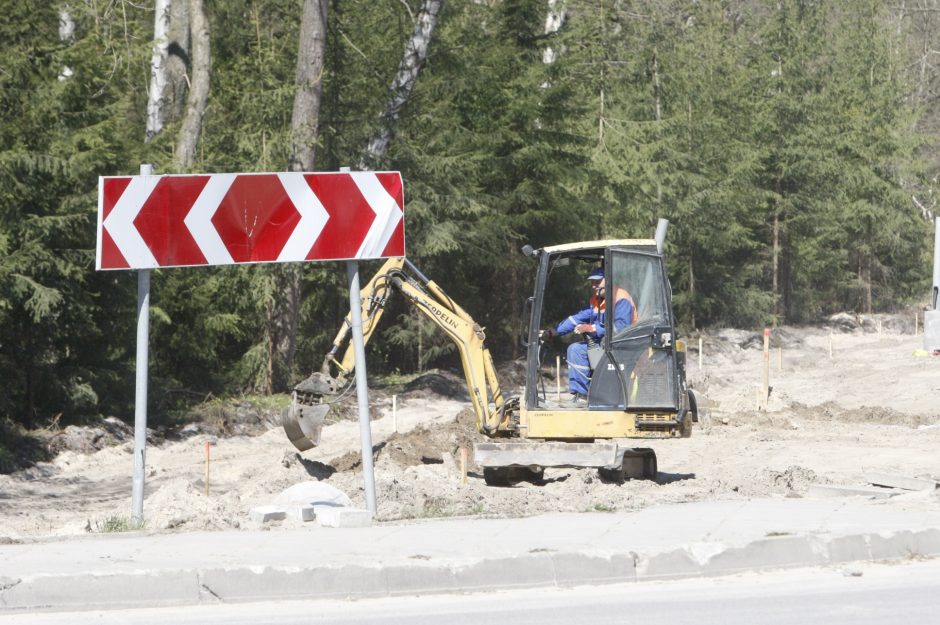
{"x": 637, "y": 385}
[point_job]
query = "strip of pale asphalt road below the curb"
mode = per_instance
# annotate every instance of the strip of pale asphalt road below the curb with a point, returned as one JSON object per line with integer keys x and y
{"x": 854, "y": 595}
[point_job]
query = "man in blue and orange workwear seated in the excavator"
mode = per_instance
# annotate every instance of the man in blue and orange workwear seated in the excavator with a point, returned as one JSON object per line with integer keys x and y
{"x": 590, "y": 324}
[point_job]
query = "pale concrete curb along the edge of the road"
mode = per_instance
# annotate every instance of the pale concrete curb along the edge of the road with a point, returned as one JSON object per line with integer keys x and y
{"x": 416, "y": 576}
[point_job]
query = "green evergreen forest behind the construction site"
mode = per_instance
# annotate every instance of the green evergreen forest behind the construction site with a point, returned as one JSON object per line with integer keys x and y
{"x": 792, "y": 144}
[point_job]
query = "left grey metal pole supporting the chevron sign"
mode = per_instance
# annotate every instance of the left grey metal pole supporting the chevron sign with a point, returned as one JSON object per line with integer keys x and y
{"x": 140, "y": 396}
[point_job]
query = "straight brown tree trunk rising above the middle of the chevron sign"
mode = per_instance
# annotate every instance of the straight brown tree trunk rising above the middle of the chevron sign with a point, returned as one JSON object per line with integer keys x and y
{"x": 309, "y": 80}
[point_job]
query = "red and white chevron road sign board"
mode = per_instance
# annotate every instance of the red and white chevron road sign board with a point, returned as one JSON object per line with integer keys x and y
{"x": 222, "y": 219}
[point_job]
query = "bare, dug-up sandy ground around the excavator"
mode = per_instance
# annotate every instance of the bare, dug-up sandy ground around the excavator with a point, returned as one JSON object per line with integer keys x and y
{"x": 874, "y": 405}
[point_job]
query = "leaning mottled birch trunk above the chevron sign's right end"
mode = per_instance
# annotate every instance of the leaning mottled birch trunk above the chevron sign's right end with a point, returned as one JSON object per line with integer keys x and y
{"x": 416, "y": 52}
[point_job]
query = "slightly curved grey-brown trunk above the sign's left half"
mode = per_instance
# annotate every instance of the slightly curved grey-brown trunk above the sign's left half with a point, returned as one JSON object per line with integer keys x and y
{"x": 199, "y": 91}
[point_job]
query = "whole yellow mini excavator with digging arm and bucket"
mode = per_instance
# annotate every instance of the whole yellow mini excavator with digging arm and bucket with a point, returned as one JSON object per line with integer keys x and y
{"x": 637, "y": 385}
